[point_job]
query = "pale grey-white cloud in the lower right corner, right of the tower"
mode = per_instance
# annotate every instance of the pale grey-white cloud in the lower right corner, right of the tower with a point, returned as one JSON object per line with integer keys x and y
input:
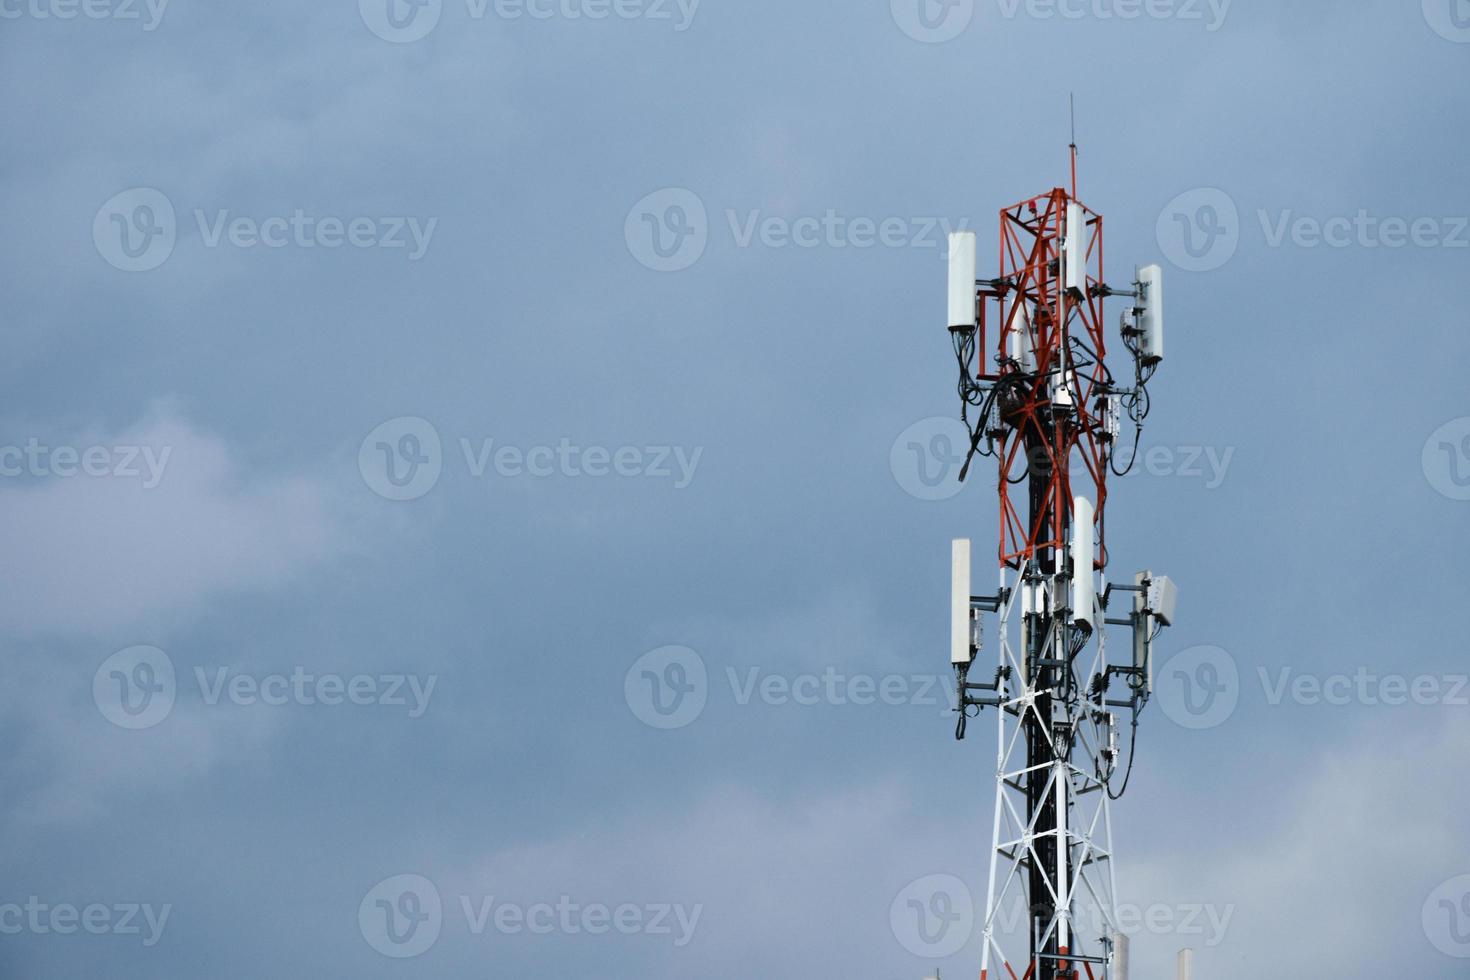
{"x": 1359, "y": 838}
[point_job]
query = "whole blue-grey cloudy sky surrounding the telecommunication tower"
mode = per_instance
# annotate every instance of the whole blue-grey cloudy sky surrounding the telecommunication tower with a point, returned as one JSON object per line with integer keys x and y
{"x": 399, "y": 393}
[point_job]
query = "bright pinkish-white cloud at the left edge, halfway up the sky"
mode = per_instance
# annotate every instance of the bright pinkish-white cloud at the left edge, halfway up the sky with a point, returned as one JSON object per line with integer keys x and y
{"x": 102, "y": 556}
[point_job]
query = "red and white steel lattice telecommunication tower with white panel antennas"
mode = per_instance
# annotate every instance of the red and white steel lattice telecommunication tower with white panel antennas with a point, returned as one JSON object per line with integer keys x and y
{"x": 1040, "y": 399}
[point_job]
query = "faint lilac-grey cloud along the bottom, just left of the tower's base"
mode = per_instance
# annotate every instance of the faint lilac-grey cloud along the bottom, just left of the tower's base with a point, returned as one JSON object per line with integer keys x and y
{"x": 786, "y": 885}
